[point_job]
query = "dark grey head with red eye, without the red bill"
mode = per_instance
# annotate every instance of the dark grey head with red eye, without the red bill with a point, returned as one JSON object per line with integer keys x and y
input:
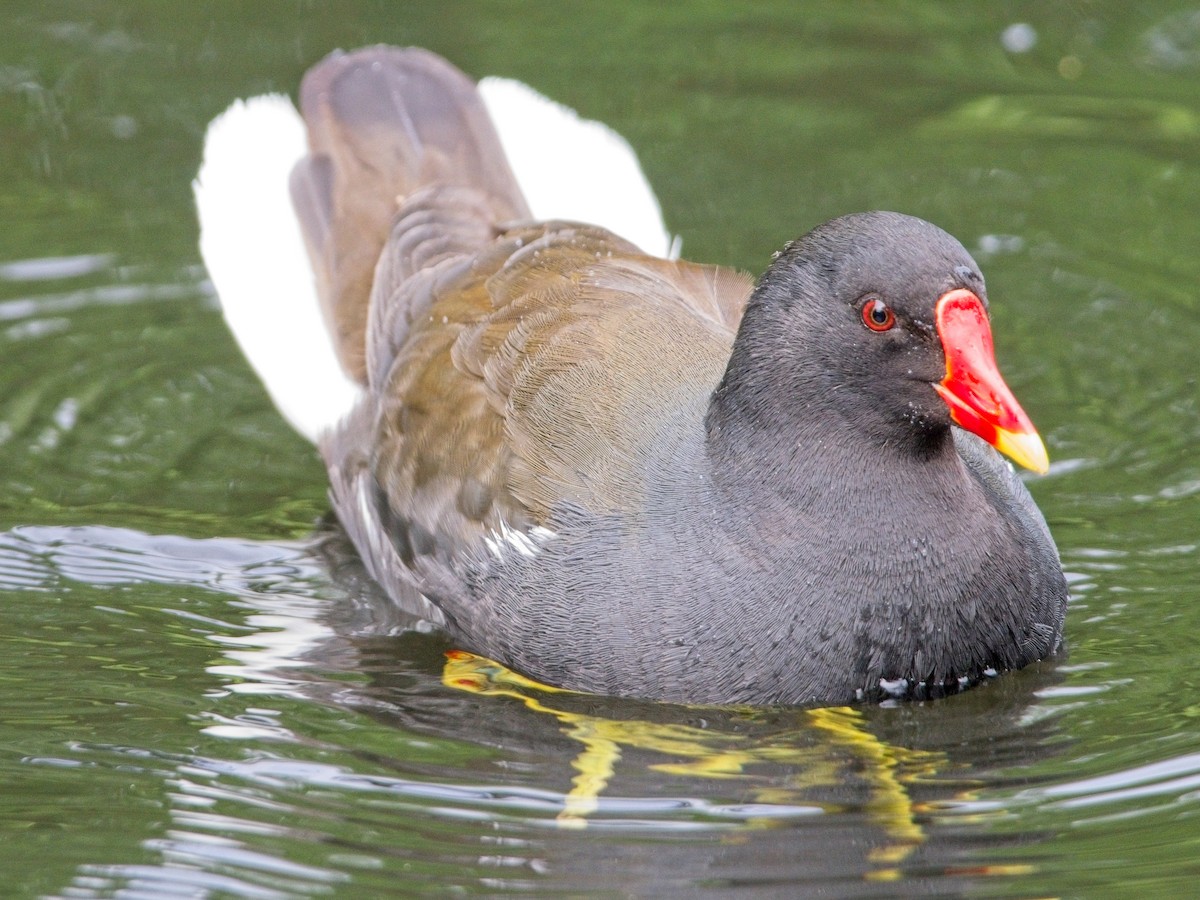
{"x": 845, "y": 321}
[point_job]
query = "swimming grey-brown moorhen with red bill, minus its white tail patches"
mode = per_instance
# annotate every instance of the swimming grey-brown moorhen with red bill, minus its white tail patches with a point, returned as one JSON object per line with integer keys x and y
{"x": 625, "y": 475}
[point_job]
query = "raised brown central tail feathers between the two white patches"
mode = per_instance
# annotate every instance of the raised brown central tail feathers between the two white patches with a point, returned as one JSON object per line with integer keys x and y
{"x": 386, "y": 124}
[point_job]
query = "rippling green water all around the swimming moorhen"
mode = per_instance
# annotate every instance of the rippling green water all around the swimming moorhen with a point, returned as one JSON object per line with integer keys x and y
{"x": 201, "y": 699}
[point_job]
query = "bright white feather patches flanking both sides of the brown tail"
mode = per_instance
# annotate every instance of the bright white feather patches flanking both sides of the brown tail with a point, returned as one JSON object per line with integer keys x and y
{"x": 568, "y": 169}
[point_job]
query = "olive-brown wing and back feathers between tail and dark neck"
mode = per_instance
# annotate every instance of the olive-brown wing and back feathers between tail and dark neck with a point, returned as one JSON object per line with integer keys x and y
{"x": 541, "y": 371}
